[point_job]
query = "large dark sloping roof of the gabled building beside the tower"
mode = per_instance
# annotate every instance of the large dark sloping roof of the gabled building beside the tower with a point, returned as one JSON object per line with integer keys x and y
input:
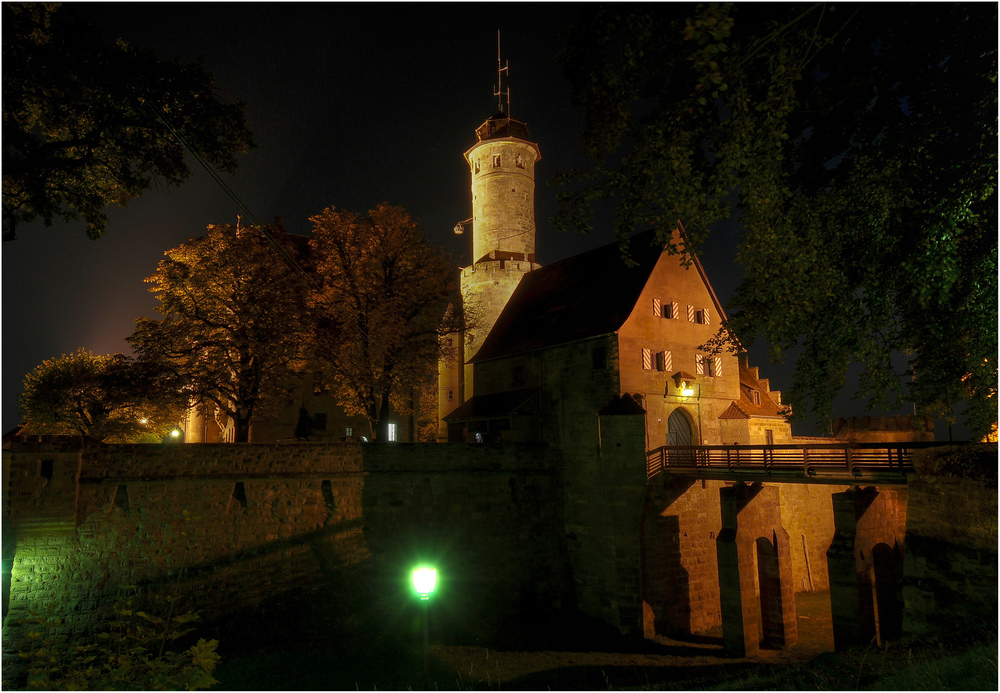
{"x": 583, "y": 296}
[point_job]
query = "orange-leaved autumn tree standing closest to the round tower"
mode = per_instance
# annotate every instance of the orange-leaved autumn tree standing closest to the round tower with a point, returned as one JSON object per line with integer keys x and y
{"x": 383, "y": 291}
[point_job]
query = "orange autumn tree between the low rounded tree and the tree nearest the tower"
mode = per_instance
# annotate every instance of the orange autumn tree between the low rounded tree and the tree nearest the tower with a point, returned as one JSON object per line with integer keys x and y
{"x": 234, "y": 330}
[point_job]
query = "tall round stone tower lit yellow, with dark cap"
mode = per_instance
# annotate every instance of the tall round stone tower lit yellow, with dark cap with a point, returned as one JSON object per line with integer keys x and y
{"x": 502, "y": 163}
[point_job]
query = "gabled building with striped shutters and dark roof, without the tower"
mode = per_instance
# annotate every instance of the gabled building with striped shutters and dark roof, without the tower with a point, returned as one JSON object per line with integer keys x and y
{"x": 583, "y": 333}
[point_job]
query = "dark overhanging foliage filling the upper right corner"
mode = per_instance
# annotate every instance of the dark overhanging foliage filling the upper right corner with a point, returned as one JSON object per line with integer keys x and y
{"x": 859, "y": 143}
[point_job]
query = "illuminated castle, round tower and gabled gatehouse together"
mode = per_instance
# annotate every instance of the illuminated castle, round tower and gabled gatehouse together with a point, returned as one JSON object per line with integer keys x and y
{"x": 546, "y": 344}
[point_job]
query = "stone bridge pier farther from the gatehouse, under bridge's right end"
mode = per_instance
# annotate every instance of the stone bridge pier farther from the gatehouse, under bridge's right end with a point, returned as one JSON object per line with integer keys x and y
{"x": 865, "y": 562}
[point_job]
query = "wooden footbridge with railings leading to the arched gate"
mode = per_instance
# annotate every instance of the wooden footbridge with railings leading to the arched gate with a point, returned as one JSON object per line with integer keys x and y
{"x": 838, "y": 463}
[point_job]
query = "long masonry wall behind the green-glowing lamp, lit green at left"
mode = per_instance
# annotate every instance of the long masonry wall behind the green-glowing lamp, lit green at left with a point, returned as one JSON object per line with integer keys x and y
{"x": 243, "y": 531}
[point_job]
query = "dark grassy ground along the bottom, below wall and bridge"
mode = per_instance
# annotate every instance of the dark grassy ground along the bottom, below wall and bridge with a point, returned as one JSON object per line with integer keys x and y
{"x": 576, "y": 653}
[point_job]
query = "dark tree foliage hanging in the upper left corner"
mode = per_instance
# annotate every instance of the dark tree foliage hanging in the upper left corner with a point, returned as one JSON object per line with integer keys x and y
{"x": 81, "y": 120}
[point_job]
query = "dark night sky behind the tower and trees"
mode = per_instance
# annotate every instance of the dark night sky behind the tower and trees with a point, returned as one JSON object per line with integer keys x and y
{"x": 350, "y": 106}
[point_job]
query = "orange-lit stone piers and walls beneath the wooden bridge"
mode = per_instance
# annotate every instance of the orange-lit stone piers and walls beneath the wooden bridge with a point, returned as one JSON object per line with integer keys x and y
{"x": 715, "y": 555}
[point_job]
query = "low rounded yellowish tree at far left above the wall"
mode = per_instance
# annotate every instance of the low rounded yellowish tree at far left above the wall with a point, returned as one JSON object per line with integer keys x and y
{"x": 112, "y": 398}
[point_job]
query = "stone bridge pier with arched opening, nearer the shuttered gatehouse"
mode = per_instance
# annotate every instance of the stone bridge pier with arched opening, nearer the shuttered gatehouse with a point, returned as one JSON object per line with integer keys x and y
{"x": 755, "y": 559}
